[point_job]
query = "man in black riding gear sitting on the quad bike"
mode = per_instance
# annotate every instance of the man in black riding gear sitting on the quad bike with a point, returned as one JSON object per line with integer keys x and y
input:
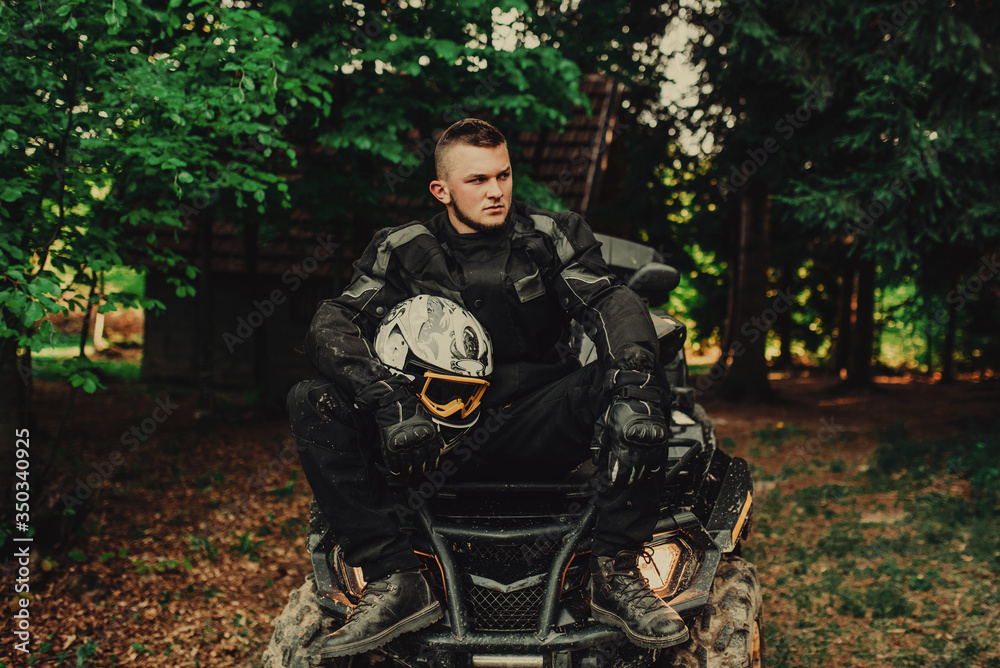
{"x": 523, "y": 273}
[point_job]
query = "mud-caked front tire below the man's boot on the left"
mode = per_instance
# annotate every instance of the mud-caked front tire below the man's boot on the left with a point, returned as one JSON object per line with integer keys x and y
{"x": 299, "y": 631}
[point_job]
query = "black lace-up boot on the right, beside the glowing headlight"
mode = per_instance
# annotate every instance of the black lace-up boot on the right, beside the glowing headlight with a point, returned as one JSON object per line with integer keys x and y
{"x": 621, "y": 596}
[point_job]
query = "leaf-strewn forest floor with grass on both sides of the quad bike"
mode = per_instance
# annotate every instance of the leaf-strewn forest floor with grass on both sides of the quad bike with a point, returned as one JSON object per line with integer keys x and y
{"x": 876, "y": 528}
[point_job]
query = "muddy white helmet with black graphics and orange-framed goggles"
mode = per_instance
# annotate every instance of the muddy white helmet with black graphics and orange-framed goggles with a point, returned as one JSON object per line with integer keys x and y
{"x": 438, "y": 340}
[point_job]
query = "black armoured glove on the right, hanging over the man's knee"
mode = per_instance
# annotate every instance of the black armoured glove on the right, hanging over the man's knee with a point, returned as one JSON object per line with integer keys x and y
{"x": 630, "y": 439}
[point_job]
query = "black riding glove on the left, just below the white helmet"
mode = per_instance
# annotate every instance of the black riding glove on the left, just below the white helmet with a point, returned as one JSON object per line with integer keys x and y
{"x": 408, "y": 437}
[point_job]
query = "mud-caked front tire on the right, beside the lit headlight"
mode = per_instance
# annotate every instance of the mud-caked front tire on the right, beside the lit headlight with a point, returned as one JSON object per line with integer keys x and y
{"x": 727, "y": 633}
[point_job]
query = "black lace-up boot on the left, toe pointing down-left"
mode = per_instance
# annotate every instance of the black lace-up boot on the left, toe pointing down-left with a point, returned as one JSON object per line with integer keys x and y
{"x": 389, "y": 607}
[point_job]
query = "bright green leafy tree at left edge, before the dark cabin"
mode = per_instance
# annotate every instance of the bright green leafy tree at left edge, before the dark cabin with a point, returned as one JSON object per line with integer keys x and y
{"x": 114, "y": 119}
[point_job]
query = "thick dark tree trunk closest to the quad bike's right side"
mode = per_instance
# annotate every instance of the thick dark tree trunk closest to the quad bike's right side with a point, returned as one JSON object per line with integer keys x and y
{"x": 746, "y": 379}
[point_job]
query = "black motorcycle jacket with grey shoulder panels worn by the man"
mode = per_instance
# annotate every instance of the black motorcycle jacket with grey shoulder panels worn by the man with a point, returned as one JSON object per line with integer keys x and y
{"x": 523, "y": 282}
